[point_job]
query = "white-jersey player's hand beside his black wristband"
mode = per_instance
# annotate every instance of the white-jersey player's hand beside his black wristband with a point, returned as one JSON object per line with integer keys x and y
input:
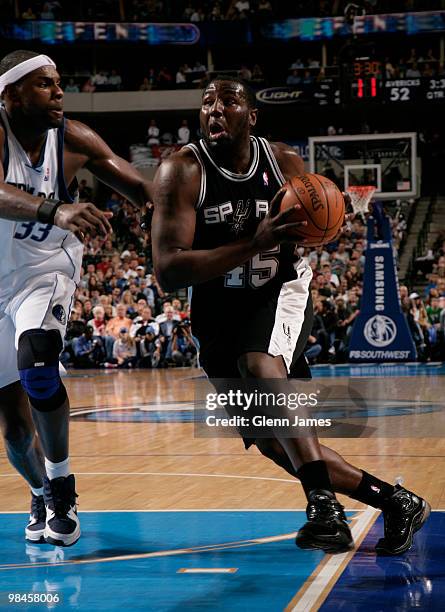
{"x": 82, "y": 219}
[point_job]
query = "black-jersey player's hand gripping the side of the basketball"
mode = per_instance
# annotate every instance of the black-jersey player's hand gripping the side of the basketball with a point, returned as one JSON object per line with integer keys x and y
{"x": 274, "y": 228}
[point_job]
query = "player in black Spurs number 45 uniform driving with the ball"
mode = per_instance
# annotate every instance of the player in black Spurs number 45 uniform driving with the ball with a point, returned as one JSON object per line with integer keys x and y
{"x": 217, "y": 227}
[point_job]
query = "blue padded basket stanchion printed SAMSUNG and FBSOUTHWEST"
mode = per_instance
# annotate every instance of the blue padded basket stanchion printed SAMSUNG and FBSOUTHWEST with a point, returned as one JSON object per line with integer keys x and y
{"x": 380, "y": 331}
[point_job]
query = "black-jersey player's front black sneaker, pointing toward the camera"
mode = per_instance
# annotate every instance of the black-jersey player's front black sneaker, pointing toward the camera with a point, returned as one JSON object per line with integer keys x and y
{"x": 326, "y": 528}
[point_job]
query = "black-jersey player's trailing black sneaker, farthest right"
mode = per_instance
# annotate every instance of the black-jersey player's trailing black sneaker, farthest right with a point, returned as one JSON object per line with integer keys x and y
{"x": 404, "y": 513}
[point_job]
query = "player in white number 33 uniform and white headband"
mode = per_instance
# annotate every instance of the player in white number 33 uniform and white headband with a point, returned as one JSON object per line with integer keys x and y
{"x": 41, "y": 228}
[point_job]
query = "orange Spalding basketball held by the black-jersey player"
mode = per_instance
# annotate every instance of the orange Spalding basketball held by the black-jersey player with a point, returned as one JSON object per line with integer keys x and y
{"x": 322, "y": 206}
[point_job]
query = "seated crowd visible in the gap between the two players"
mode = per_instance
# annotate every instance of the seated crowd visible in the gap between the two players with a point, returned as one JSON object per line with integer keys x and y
{"x": 121, "y": 318}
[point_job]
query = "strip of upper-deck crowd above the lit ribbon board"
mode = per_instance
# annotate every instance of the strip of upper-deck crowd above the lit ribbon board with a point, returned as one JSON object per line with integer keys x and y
{"x": 203, "y": 10}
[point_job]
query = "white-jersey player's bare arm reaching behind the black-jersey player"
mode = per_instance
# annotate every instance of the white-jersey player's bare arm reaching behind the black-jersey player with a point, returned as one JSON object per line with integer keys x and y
{"x": 88, "y": 147}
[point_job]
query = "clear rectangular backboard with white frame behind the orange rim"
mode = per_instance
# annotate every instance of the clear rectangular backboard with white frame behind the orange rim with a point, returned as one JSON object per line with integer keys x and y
{"x": 387, "y": 161}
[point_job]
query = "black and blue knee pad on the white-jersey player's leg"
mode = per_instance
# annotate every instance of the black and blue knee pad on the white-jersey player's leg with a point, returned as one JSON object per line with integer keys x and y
{"x": 38, "y": 365}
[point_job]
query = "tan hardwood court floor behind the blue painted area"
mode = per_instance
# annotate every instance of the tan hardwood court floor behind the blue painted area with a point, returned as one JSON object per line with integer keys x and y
{"x": 133, "y": 447}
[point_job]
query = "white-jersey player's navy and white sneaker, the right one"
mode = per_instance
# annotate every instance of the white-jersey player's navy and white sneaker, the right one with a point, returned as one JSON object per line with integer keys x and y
{"x": 62, "y": 525}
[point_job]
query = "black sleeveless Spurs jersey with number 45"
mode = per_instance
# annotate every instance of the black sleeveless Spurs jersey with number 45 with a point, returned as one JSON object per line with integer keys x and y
{"x": 230, "y": 207}
